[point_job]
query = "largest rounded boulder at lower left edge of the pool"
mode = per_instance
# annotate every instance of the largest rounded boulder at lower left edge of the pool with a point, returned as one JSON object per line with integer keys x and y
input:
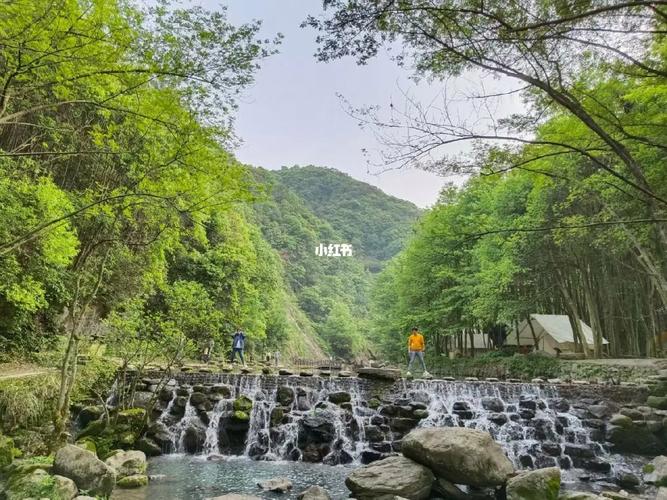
{"x": 85, "y": 469}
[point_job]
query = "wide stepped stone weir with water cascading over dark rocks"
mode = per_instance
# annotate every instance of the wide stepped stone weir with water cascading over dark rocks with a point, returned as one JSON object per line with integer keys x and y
{"x": 345, "y": 420}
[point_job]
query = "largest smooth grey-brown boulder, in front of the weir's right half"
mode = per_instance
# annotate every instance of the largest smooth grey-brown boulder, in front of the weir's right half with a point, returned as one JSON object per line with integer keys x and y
{"x": 460, "y": 455}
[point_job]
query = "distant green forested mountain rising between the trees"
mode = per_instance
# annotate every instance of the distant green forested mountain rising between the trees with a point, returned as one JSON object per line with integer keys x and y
{"x": 309, "y": 206}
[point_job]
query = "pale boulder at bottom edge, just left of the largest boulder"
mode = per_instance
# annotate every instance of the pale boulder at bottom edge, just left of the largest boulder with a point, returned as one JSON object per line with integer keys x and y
{"x": 392, "y": 476}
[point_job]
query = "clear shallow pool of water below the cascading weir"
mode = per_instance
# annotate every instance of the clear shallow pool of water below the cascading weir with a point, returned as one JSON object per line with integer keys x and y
{"x": 195, "y": 478}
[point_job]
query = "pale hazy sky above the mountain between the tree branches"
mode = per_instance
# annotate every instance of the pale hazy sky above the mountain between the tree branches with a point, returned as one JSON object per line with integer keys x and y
{"x": 293, "y": 113}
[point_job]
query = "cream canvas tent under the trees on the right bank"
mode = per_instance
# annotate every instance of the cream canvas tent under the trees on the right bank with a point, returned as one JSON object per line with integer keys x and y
{"x": 553, "y": 332}
